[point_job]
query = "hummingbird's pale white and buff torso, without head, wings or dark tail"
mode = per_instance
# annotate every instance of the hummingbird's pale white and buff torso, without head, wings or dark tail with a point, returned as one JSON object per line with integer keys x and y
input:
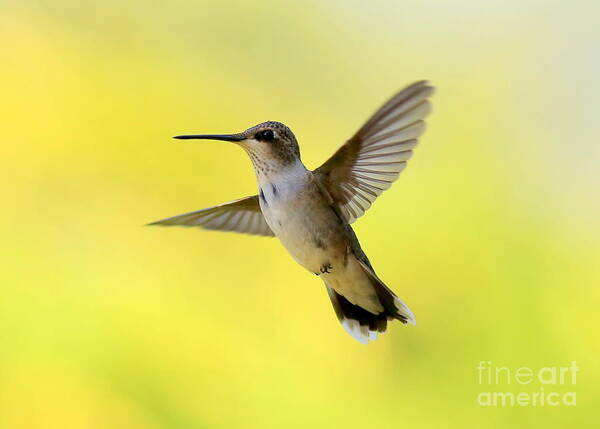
{"x": 298, "y": 210}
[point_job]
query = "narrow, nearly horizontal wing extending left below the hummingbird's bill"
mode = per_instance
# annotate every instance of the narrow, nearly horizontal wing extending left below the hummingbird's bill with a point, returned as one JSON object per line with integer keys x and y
{"x": 243, "y": 215}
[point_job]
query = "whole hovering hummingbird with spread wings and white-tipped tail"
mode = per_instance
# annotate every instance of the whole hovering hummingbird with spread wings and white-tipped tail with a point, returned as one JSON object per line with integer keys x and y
{"x": 311, "y": 212}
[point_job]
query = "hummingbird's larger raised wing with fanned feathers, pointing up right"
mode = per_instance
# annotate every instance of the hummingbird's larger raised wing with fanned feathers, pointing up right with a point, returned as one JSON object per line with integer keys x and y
{"x": 371, "y": 160}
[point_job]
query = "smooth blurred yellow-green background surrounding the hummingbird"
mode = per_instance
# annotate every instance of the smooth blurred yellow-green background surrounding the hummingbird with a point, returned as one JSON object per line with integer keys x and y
{"x": 492, "y": 235}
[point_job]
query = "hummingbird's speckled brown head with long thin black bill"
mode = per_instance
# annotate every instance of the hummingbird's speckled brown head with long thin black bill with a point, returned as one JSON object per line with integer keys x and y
{"x": 271, "y": 145}
